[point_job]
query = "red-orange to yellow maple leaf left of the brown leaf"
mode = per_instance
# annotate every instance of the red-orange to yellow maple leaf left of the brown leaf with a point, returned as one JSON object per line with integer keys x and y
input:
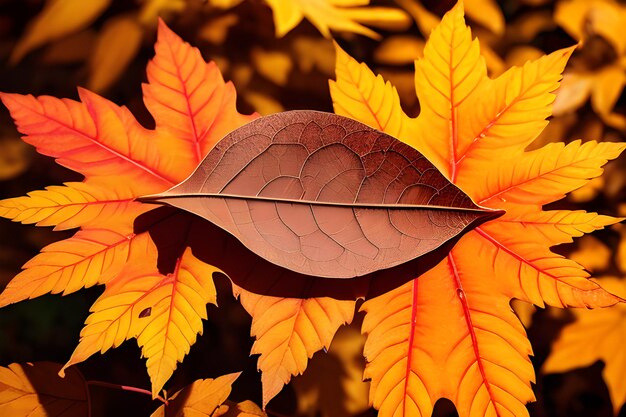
{"x": 193, "y": 108}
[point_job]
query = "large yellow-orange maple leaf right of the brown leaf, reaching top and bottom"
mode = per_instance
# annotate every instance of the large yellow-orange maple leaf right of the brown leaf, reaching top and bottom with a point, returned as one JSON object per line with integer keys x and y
{"x": 451, "y": 332}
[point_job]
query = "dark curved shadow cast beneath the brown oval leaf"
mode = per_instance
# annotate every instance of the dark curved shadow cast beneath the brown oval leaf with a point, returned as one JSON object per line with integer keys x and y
{"x": 172, "y": 230}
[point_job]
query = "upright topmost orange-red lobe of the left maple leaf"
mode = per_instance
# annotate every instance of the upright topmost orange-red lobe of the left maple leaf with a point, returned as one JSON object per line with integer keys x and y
{"x": 188, "y": 98}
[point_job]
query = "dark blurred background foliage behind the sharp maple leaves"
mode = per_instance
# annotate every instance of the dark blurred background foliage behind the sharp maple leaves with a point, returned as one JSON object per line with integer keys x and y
{"x": 279, "y": 54}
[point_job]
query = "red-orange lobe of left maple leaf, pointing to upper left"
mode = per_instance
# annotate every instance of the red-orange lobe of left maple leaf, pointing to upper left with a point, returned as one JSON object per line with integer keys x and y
{"x": 95, "y": 138}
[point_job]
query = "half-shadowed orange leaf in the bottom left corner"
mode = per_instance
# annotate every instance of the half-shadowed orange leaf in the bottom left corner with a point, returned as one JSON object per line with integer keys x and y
{"x": 35, "y": 389}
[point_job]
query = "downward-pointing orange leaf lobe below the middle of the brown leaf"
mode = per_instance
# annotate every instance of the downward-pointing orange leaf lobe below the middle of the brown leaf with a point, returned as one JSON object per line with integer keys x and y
{"x": 289, "y": 331}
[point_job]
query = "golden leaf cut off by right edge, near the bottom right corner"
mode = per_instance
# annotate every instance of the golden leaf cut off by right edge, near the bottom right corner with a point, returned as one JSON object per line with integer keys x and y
{"x": 595, "y": 335}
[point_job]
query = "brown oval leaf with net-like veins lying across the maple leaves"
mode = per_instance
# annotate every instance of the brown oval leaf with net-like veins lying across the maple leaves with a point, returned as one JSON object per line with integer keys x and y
{"x": 324, "y": 195}
